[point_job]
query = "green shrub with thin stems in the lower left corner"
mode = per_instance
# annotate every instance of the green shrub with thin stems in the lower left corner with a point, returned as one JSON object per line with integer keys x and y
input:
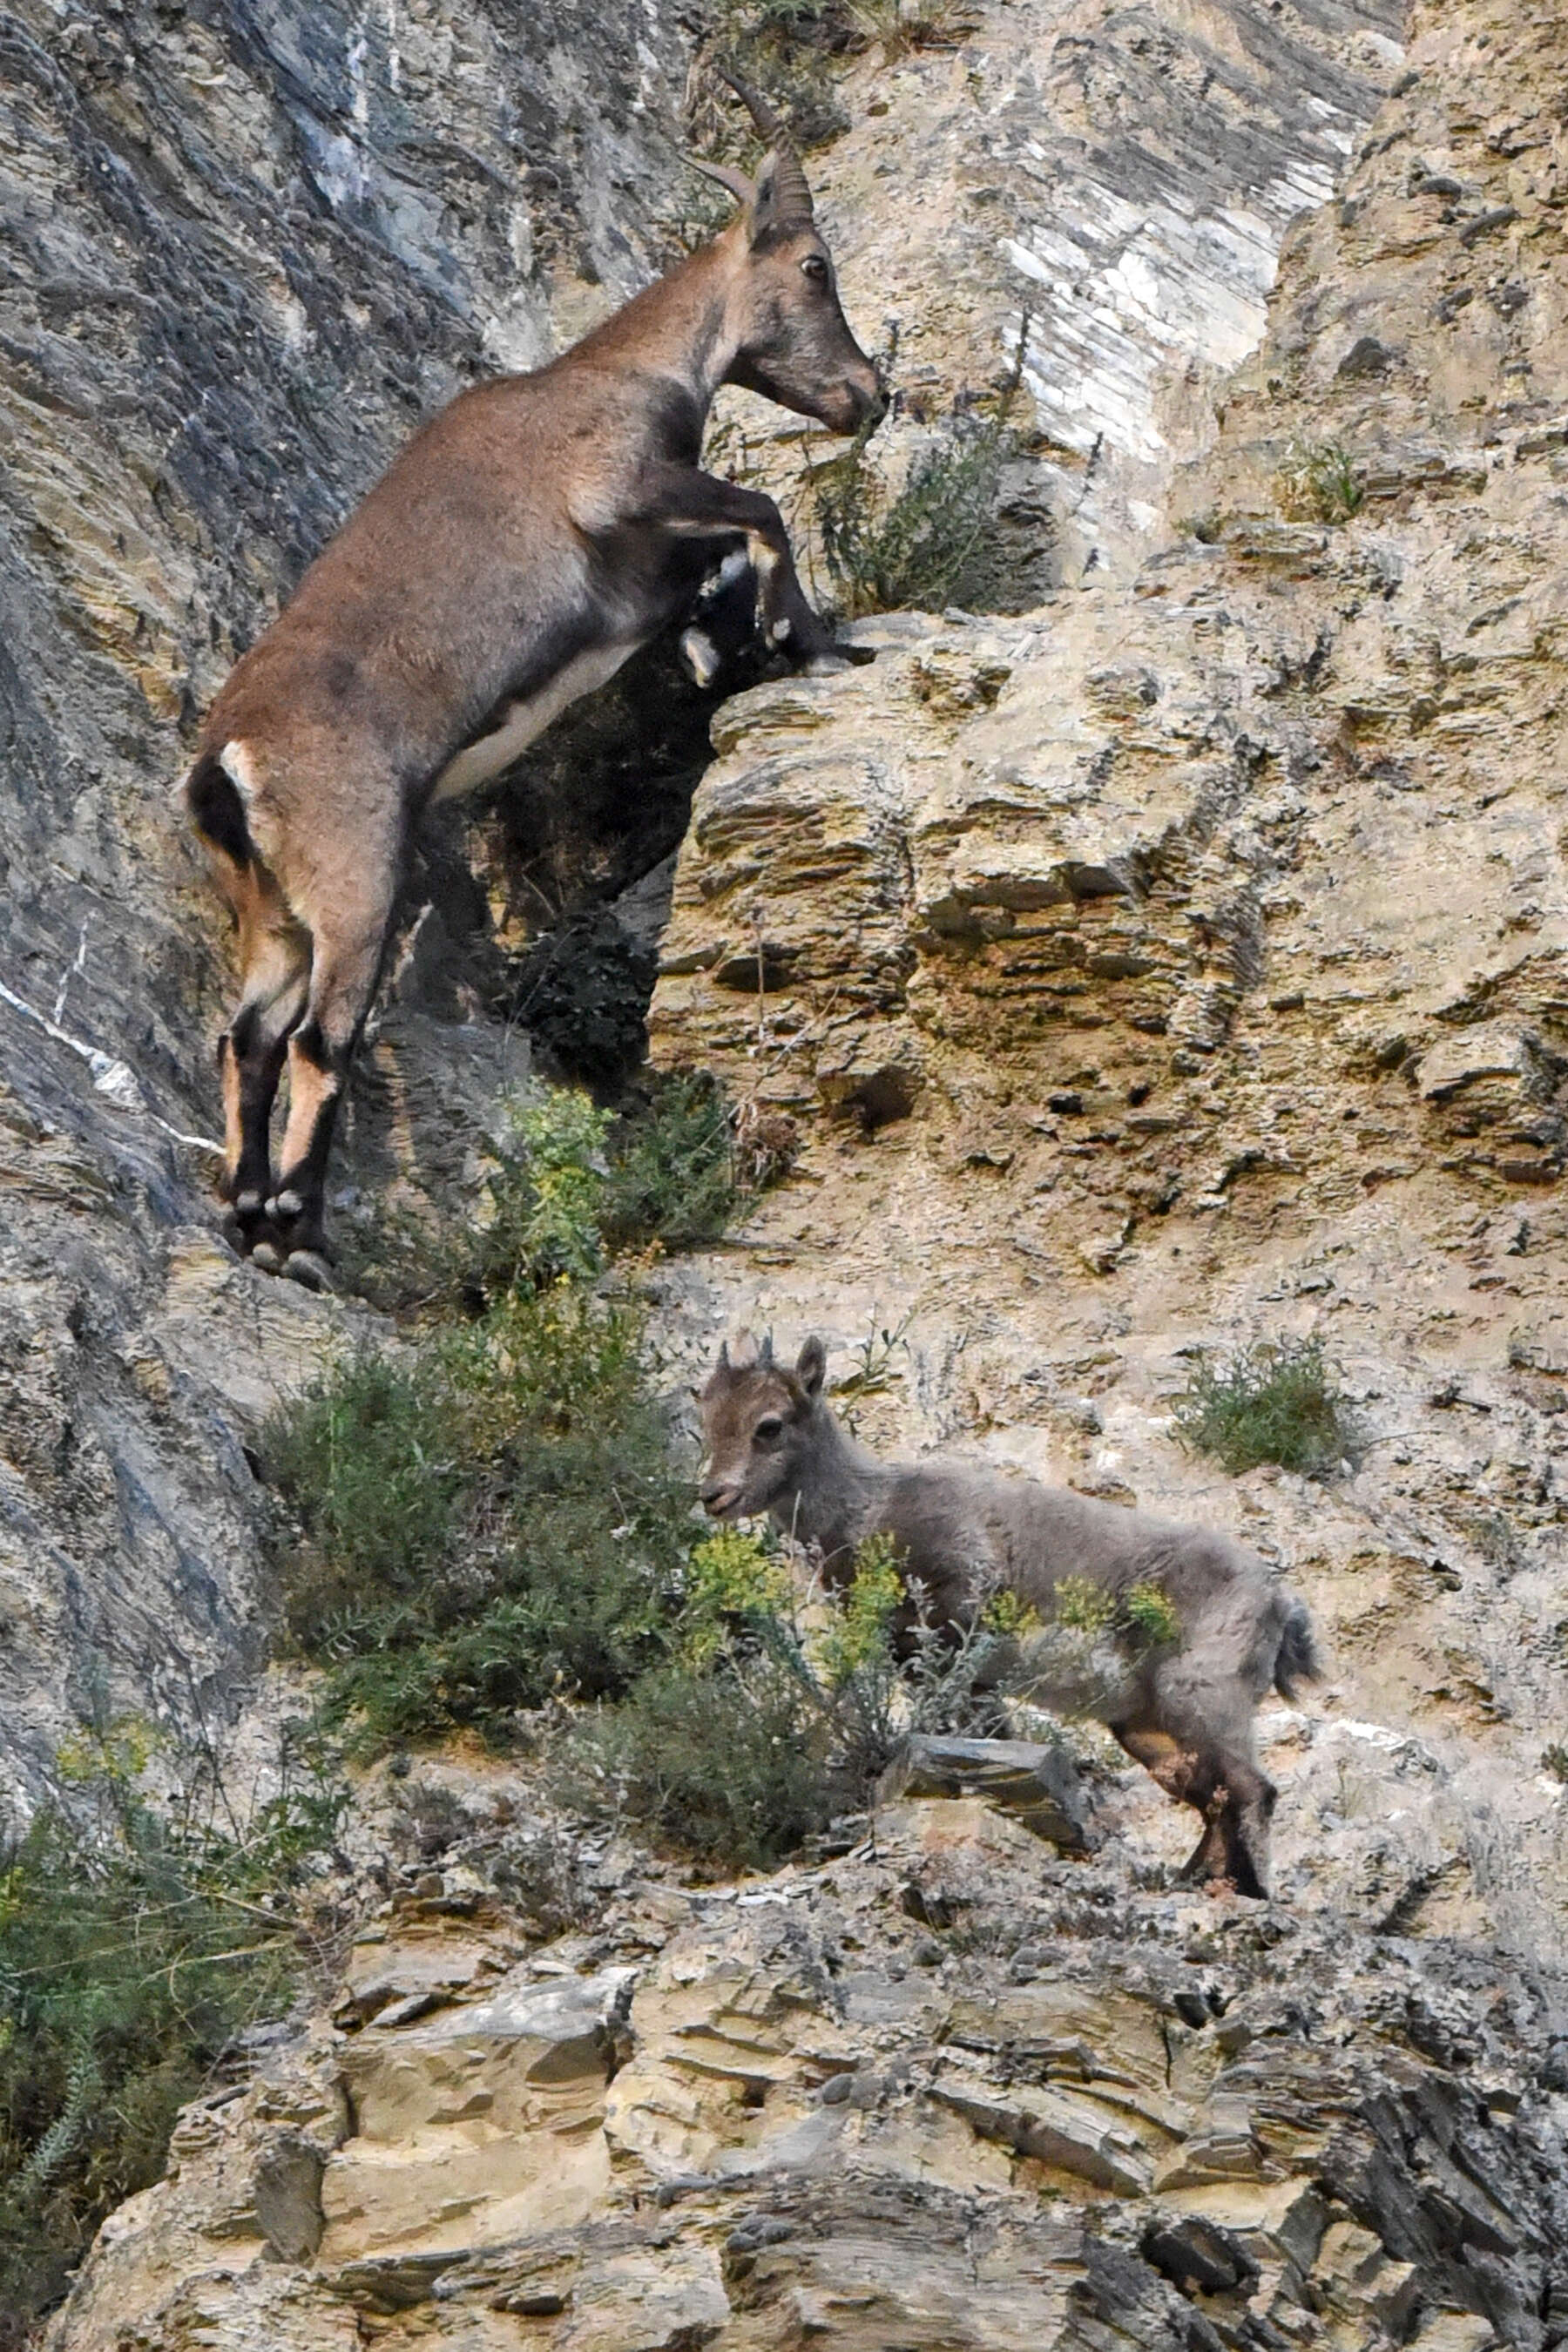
{"x": 133, "y": 1951}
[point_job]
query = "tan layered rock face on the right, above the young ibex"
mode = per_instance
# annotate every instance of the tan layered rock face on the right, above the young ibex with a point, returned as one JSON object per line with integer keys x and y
{"x": 1184, "y": 963}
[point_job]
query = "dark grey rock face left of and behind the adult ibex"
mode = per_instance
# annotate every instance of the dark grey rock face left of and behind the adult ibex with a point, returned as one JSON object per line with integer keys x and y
{"x": 246, "y": 255}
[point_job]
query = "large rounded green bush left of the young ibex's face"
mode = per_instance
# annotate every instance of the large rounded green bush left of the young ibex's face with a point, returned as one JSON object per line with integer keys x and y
{"x": 554, "y": 1553}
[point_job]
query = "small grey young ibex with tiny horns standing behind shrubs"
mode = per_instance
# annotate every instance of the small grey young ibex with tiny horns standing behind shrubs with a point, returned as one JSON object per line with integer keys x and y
{"x": 1181, "y": 1709}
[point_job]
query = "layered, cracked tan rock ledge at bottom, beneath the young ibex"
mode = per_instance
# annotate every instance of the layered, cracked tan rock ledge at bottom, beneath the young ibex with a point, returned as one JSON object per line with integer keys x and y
{"x": 1078, "y": 2116}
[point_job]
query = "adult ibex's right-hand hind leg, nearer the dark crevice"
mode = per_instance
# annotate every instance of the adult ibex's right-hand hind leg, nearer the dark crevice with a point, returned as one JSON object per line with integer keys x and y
{"x": 347, "y": 963}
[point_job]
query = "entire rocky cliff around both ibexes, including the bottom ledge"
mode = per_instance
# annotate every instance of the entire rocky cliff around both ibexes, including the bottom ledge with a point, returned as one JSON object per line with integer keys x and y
{"x": 1174, "y": 963}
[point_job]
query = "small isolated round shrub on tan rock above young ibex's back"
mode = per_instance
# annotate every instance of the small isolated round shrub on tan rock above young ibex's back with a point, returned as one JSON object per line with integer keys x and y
{"x": 1273, "y": 1403}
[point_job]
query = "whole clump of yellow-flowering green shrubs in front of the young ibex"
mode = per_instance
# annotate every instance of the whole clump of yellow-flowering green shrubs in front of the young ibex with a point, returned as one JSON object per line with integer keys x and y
{"x": 495, "y": 1518}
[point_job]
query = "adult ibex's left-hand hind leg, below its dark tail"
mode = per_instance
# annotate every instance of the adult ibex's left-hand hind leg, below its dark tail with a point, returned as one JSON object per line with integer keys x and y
{"x": 276, "y": 975}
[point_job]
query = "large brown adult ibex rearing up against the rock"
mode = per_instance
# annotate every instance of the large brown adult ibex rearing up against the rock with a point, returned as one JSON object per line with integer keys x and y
{"x": 535, "y": 535}
